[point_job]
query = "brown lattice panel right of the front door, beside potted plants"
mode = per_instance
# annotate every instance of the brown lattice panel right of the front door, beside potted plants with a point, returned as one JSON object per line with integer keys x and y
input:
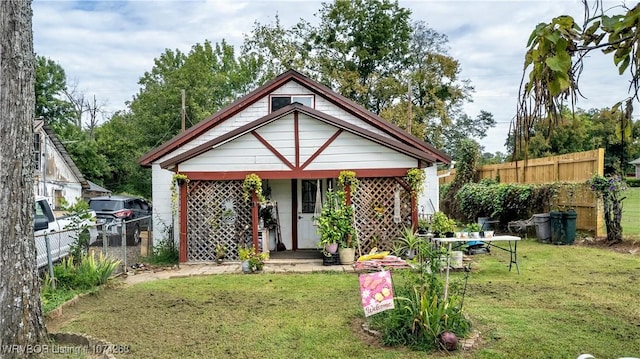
{"x": 374, "y": 203}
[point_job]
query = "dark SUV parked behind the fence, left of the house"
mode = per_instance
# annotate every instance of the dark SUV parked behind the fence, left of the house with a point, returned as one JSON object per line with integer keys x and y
{"x": 131, "y": 210}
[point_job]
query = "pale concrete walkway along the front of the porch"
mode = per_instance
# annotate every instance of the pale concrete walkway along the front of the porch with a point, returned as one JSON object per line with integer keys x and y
{"x": 271, "y": 266}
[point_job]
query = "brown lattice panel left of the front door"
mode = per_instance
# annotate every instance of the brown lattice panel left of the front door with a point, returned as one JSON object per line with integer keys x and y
{"x": 216, "y": 214}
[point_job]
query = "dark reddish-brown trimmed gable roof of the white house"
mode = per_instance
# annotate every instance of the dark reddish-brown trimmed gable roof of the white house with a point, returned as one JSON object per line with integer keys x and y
{"x": 344, "y": 103}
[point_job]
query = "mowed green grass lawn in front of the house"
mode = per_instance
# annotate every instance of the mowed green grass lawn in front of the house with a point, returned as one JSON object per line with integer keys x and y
{"x": 568, "y": 300}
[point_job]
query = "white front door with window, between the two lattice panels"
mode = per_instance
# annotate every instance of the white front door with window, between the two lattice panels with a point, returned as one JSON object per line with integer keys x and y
{"x": 308, "y": 236}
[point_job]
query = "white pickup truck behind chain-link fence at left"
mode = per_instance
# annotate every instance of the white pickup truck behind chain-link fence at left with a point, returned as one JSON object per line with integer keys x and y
{"x": 62, "y": 232}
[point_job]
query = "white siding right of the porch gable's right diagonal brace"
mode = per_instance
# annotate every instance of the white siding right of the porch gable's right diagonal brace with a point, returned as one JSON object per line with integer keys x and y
{"x": 353, "y": 152}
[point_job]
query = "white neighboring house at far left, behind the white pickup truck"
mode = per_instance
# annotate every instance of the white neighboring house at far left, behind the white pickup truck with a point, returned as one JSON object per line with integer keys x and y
{"x": 55, "y": 174}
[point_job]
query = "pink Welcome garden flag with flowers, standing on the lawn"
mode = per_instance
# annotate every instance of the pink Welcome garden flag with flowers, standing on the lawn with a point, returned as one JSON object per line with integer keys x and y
{"x": 376, "y": 292}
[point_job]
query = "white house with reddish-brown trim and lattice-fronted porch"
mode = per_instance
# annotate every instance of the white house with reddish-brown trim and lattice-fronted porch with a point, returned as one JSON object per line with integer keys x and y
{"x": 295, "y": 134}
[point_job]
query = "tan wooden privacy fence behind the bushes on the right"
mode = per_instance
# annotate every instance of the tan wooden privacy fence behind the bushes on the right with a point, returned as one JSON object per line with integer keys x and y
{"x": 573, "y": 168}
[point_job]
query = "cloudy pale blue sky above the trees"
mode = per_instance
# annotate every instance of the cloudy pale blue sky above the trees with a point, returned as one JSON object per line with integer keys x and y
{"x": 106, "y": 46}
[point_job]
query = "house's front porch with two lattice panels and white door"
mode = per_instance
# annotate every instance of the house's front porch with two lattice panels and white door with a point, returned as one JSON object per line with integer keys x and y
{"x": 216, "y": 217}
